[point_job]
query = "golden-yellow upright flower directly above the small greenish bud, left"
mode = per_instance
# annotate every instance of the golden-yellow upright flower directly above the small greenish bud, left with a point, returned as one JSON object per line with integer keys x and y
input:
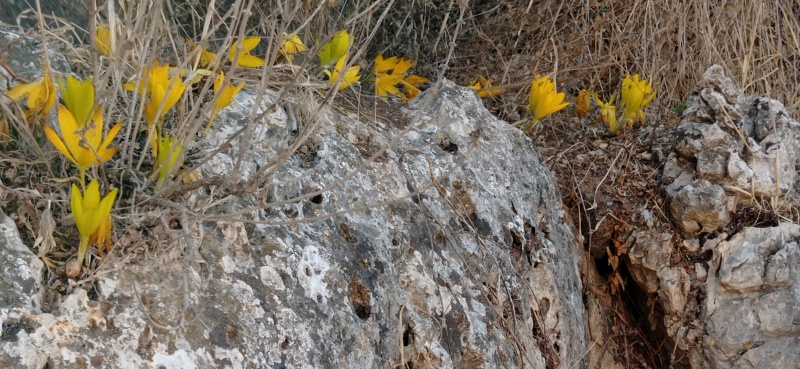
{"x": 164, "y": 91}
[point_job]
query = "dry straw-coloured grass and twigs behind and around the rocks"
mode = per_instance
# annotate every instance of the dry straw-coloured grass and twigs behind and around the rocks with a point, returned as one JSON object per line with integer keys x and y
{"x": 582, "y": 44}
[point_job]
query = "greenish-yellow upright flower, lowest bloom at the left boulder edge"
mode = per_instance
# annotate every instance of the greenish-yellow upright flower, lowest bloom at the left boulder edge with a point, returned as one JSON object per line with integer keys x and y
{"x": 89, "y": 212}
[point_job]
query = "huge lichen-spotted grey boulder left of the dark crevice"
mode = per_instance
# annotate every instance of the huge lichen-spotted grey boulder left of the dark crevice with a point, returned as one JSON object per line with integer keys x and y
{"x": 477, "y": 270}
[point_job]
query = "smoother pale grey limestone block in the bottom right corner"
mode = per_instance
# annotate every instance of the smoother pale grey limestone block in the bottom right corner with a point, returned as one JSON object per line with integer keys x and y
{"x": 753, "y": 305}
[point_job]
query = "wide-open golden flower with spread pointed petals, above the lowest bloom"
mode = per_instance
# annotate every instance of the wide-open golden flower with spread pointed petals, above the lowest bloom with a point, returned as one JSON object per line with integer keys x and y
{"x": 83, "y": 146}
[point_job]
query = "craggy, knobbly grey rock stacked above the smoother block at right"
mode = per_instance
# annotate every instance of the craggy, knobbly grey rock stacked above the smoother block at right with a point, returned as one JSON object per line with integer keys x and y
{"x": 742, "y": 145}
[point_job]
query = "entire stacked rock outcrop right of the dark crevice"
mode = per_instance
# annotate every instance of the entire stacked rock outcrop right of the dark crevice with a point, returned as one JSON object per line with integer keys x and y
{"x": 729, "y": 292}
